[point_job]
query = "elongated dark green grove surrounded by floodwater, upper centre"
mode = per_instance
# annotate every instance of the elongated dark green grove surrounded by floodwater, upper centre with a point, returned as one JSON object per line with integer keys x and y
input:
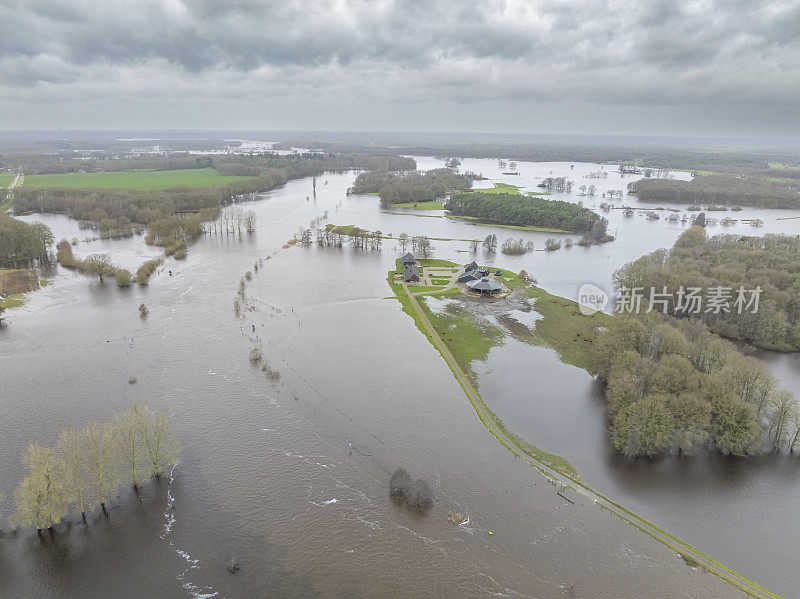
{"x": 513, "y": 209}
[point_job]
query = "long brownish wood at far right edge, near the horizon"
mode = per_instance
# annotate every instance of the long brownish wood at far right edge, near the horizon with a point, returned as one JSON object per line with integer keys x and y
{"x": 724, "y": 190}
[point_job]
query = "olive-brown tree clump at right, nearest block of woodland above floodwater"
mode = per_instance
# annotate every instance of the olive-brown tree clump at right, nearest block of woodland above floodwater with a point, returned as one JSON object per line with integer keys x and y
{"x": 674, "y": 386}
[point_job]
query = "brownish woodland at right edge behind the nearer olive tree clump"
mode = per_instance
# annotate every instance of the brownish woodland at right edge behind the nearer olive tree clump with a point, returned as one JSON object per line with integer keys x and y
{"x": 771, "y": 262}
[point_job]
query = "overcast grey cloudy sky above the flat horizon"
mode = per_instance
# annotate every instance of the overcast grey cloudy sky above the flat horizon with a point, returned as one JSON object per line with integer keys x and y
{"x": 652, "y": 67}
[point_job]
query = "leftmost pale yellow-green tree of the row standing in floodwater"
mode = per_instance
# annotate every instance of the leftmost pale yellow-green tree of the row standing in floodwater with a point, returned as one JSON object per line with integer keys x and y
{"x": 39, "y": 499}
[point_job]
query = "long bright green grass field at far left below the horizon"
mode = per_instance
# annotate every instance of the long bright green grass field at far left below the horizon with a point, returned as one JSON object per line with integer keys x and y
{"x": 196, "y": 177}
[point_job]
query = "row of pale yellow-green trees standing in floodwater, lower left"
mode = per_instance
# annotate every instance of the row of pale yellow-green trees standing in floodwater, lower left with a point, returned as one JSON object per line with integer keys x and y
{"x": 90, "y": 465}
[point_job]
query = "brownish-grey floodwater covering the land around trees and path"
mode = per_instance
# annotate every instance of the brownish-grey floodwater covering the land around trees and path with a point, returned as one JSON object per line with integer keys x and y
{"x": 290, "y": 478}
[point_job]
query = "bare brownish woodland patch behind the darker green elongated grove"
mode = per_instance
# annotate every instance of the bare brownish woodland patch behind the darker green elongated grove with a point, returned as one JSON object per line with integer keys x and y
{"x": 411, "y": 187}
